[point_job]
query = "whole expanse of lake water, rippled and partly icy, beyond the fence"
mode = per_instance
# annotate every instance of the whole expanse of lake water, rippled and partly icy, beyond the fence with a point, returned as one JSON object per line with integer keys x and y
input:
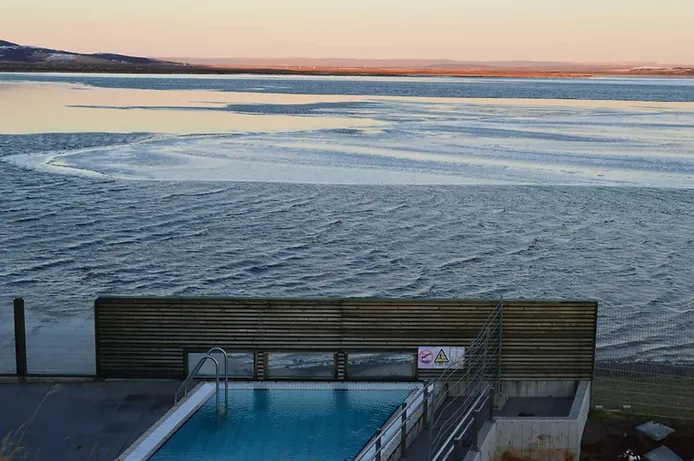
{"x": 351, "y": 187}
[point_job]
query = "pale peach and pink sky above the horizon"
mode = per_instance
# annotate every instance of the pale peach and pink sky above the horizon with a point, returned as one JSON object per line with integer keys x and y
{"x": 476, "y": 30}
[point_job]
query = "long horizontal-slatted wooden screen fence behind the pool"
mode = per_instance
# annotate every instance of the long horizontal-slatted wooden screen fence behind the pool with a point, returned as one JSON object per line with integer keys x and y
{"x": 149, "y": 337}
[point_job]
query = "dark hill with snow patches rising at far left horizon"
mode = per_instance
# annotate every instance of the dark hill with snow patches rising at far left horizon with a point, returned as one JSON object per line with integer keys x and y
{"x": 14, "y": 53}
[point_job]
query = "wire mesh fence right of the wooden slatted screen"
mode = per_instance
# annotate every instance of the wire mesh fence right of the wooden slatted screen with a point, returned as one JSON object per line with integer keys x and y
{"x": 646, "y": 368}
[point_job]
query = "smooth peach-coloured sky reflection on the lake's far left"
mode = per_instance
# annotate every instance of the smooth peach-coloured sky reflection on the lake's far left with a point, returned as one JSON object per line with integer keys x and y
{"x": 61, "y": 108}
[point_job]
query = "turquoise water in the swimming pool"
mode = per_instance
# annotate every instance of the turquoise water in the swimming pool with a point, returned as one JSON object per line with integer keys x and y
{"x": 278, "y": 424}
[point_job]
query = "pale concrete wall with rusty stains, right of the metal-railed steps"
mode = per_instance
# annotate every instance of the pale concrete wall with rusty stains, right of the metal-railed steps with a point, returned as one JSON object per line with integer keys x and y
{"x": 537, "y": 439}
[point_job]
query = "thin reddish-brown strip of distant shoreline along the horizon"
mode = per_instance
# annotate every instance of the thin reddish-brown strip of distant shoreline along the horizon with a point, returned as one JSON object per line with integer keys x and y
{"x": 342, "y": 71}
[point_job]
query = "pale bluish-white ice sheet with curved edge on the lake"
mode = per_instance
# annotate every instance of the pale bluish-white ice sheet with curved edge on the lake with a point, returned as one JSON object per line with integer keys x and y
{"x": 424, "y": 142}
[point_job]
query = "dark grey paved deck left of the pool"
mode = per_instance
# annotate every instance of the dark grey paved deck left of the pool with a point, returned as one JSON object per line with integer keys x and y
{"x": 81, "y": 421}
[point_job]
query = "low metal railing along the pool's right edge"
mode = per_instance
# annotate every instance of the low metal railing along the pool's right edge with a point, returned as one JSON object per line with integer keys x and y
{"x": 375, "y": 449}
